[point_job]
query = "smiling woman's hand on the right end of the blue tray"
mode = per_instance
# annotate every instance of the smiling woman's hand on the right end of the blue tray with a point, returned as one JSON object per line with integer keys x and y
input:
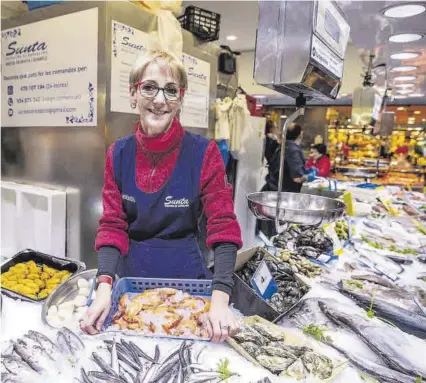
{"x": 221, "y": 321}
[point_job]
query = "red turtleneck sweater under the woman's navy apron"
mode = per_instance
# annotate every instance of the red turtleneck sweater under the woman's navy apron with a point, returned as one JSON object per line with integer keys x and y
{"x": 156, "y": 159}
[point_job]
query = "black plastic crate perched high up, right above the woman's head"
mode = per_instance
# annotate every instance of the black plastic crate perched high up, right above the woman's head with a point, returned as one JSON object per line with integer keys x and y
{"x": 202, "y": 23}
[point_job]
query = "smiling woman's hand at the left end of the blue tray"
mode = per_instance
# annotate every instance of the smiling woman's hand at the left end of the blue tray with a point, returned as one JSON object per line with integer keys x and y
{"x": 95, "y": 316}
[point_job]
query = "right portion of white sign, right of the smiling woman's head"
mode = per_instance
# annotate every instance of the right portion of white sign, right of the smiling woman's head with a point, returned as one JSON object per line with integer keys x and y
{"x": 195, "y": 110}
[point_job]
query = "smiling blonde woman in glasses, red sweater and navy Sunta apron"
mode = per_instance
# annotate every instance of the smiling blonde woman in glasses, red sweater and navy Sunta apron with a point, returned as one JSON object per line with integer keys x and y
{"x": 156, "y": 182}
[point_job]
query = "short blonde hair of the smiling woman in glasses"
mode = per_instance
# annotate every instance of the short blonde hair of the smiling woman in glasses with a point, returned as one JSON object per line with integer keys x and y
{"x": 158, "y": 56}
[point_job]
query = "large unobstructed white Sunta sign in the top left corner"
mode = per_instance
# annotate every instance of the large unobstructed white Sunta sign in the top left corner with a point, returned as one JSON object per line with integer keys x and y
{"x": 49, "y": 72}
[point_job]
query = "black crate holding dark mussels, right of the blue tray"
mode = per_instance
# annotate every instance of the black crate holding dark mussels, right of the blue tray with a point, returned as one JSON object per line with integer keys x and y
{"x": 245, "y": 298}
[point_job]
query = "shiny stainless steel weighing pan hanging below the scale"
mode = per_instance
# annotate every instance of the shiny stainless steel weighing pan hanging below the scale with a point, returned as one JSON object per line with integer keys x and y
{"x": 302, "y": 209}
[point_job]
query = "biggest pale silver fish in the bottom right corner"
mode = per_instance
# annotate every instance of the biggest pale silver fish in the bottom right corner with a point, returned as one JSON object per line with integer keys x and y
{"x": 393, "y": 345}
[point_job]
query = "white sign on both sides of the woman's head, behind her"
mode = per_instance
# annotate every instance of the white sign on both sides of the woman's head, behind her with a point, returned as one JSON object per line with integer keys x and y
{"x": 127, "y": 44}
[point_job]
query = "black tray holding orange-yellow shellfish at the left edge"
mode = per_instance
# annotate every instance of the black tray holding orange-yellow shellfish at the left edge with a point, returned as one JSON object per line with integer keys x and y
{"x": 57, "y": 263}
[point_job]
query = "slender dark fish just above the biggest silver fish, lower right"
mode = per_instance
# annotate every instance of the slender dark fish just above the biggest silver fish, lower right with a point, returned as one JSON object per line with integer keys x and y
{"x": 406, "y": 320}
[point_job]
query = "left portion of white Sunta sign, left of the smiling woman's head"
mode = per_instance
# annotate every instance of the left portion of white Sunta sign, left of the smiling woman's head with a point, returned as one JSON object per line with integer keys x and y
{"x": 127, "y": 45}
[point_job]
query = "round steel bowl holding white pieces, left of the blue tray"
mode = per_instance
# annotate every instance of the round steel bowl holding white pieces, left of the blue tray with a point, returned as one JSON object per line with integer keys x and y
{"x": 65, "y": 292}
